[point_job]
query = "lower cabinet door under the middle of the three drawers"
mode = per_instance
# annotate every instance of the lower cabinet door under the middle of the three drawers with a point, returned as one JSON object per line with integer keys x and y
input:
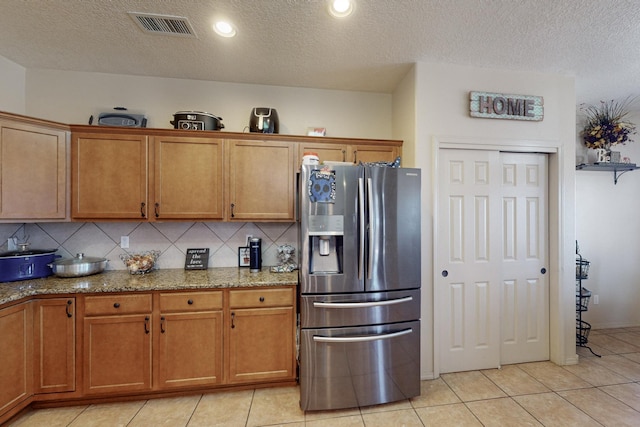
{"x": 190, "y": 349}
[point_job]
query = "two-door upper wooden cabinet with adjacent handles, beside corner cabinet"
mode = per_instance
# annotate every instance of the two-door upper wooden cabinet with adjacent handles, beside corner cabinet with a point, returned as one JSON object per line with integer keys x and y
{"x": 121, "y": 176}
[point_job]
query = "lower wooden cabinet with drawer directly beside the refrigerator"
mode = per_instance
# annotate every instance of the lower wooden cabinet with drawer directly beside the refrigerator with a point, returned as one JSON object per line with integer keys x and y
{"x": 262, "y": 335}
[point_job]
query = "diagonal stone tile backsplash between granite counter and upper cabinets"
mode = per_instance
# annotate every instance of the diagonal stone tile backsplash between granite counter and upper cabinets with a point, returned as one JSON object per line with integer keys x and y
{"x": 102, "y": 239}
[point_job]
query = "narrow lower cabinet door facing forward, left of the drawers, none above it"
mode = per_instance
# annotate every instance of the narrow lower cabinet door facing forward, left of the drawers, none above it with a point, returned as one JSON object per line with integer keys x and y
{"x": 54, "y": 345}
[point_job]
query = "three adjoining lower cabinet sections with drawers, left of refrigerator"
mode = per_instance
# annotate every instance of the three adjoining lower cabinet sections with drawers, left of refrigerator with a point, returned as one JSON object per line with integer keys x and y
{"x": 172, "y": 340}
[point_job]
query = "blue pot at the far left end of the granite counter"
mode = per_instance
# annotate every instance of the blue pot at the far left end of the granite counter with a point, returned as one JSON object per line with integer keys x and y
{"x": 26, "y": 264}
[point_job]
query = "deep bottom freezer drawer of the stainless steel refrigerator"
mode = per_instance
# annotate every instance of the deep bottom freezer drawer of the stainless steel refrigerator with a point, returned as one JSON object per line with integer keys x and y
{"x": 351, "y": 367}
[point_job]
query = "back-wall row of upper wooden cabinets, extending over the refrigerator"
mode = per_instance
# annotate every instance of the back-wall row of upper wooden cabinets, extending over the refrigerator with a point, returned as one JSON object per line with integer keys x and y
{"x": 153, "y": 174}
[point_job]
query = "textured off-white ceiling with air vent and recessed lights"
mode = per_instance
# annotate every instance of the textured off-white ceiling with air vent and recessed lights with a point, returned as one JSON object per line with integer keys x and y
{"x": 297, "y": 43}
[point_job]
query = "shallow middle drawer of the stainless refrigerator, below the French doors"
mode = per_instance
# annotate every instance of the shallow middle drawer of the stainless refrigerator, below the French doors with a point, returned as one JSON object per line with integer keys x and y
{"x": 366, "y": 308}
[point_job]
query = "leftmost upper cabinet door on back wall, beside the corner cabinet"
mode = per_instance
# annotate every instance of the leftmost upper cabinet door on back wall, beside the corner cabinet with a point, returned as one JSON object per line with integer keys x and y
{"x": 109, "y": 176}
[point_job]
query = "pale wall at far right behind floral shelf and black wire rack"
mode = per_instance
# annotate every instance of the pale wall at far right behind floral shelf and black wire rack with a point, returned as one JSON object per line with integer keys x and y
{"x": 608, "y": 233}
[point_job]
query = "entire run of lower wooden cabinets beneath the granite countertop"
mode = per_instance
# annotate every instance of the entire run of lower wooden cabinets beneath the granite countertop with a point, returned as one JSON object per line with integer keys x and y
{"x": 107, "y": 345}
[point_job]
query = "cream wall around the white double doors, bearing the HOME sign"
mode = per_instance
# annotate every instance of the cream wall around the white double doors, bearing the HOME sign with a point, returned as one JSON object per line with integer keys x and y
{"x": 442, "y": 117}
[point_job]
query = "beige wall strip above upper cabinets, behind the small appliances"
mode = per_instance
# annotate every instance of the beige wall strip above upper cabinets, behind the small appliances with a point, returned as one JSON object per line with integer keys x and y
{"x": 71, "y": 97}
